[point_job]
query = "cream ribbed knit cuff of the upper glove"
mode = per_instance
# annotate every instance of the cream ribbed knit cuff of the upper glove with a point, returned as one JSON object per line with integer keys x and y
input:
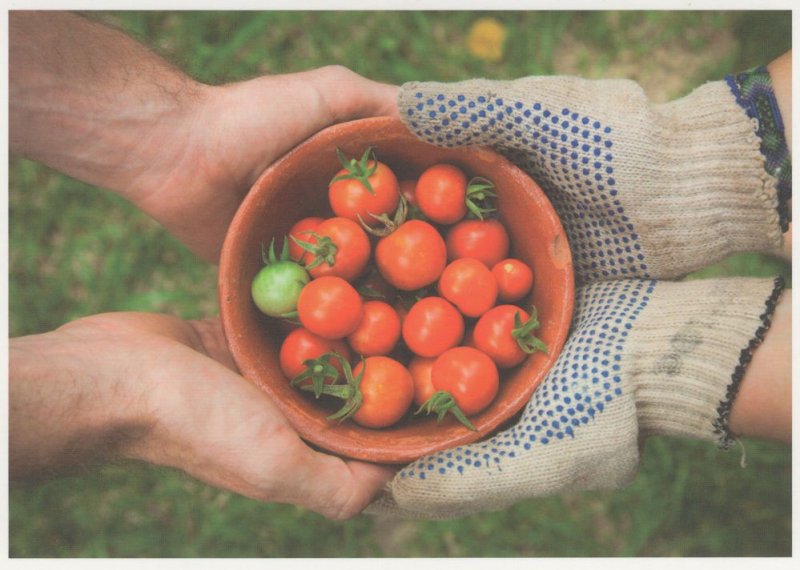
{"x": 713, "y": 195}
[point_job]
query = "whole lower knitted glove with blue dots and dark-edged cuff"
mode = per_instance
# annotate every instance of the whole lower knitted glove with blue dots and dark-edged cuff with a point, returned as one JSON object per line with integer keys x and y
{"x": 645, "y": 357}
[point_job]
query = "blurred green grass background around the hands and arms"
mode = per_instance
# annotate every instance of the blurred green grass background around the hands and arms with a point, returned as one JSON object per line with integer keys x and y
{"x": 76, "y": 250}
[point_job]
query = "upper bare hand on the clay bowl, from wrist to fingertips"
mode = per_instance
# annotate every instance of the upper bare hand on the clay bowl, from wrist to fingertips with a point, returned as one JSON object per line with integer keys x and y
{"x": 234, "y": 132}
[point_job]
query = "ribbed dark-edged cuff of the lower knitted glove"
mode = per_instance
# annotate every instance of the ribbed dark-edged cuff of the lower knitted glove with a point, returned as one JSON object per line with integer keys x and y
{"x": 687, "y": 358}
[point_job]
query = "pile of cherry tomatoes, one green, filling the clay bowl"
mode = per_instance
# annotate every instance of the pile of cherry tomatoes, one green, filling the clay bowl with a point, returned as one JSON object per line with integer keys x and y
{"x": 405, "y": 295}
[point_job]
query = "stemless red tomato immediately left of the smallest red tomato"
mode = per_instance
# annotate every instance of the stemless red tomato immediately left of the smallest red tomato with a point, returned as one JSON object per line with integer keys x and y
{"x": 469, "y": 285}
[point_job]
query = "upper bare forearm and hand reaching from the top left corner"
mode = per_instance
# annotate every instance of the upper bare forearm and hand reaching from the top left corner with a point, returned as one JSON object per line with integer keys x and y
{"x": 95, "y": 104}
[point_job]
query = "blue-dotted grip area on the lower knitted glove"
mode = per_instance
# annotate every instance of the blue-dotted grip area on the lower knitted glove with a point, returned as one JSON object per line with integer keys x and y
{"x": 583, "y": 383}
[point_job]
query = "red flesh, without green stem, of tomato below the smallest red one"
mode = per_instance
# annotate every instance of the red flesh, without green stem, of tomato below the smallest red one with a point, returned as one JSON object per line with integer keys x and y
{"x": 493, "y": 335}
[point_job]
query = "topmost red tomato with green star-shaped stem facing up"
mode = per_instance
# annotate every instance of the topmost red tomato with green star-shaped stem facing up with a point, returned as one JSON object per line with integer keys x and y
{"x": 350, "y": 198}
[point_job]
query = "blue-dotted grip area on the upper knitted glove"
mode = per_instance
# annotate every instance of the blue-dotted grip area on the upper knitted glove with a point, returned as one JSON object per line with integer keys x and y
{"x": 570, "y": 155}
